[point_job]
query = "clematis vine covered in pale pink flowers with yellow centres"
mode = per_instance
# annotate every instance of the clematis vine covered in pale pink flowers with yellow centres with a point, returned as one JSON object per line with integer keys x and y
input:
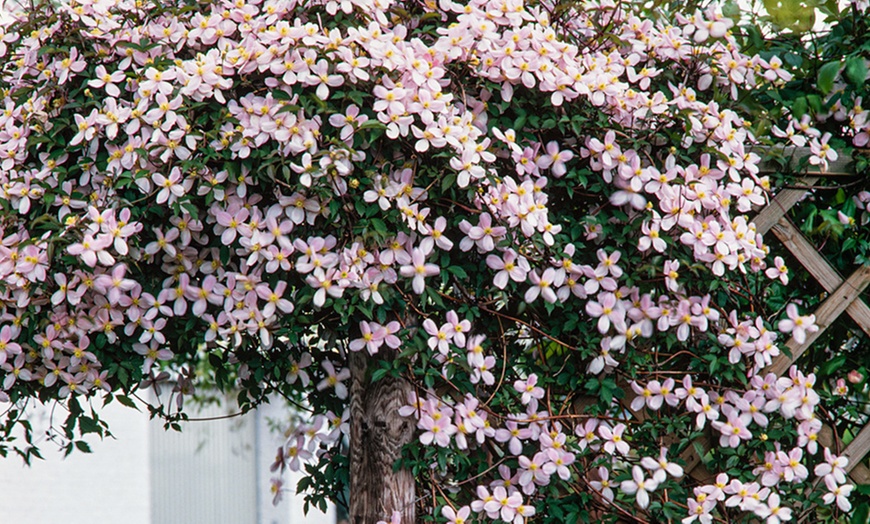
{"x": 257, "y": 195}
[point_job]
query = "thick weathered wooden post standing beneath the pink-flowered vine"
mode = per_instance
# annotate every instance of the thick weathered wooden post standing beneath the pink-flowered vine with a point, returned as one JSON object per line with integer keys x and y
{"x": 377, "y": 434}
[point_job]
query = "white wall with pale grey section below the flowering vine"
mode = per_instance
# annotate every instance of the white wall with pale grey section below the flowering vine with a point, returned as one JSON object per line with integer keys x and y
{"x": 213, "y": 472}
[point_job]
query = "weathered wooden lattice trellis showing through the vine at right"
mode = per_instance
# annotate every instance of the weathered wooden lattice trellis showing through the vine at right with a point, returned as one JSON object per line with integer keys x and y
{"x": 844, "y": 296}
